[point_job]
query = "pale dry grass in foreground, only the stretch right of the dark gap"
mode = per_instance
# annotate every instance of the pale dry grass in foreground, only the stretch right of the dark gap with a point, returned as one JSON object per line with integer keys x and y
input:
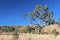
{"x": 38, "y": 37}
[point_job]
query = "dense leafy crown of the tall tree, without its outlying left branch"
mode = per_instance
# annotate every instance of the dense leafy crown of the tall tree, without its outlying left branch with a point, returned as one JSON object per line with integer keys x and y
{"x": 45, "y": 16}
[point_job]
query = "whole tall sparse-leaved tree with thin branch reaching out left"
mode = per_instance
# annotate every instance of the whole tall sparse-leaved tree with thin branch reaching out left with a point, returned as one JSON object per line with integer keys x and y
{"x": 41, "y": 15}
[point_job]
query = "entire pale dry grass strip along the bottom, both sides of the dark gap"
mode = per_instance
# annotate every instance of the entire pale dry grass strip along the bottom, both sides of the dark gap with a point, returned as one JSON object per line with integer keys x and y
{"x": 31, "y": 37}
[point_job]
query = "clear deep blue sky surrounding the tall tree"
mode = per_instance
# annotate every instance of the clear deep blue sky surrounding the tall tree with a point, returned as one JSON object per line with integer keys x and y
{"x": 11, "y": 10}
